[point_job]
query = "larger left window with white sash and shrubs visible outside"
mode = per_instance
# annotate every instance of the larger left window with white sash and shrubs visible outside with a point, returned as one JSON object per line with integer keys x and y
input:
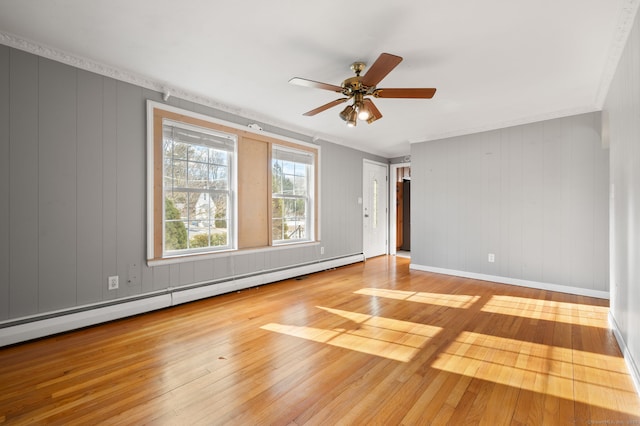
{"x": 197, "y": 189}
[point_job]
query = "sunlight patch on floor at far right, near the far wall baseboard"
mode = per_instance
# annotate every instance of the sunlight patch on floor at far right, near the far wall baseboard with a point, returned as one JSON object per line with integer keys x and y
{"x": 548, "y": 310}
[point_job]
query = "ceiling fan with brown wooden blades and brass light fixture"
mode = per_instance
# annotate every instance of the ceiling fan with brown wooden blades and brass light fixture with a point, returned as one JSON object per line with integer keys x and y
{"x": 359, "y": 88}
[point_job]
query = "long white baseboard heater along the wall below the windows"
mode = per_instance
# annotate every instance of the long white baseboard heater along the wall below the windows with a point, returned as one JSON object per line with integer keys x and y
{"x": 28, "y": 328}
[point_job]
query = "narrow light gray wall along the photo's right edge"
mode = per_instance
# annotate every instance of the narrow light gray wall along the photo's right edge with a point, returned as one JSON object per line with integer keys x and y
{"x": 622, "y": 110}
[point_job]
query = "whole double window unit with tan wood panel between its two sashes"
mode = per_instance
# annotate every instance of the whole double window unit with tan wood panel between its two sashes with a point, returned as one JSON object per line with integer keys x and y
{"x": 215, "y": 186}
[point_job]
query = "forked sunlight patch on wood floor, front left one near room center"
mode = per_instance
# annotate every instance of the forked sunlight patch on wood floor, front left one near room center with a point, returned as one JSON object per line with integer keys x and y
{"x": 374, "y": 335}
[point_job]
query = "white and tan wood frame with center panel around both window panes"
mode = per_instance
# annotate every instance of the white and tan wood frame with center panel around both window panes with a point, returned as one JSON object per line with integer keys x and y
{"x": 244, "y": 176}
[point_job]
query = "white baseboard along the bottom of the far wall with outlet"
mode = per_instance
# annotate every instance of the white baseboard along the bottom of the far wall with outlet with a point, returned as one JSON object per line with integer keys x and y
{"x": 514, "y": 281}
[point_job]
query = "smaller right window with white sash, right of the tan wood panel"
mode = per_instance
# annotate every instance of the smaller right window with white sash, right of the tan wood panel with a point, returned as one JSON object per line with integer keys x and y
{"x": 291, "y": 195}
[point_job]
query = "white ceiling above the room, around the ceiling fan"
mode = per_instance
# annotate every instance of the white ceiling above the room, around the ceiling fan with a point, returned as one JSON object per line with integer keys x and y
{"x": 495, "y": 63}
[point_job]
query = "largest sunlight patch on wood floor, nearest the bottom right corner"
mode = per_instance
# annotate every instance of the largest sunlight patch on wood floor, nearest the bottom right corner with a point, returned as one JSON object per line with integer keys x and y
{"x": 566, "y": 373}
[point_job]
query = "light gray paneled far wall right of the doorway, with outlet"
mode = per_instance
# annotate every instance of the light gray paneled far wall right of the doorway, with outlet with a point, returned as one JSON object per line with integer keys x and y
{"x": 534, "y": 195}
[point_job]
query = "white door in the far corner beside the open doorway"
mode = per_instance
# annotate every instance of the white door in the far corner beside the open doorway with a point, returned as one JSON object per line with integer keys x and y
{"x": 374, "y": 208}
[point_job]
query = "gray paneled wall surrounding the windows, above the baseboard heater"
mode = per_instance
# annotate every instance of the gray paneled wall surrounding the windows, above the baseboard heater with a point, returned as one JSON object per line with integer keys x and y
{"x": 72, "y": 192}
